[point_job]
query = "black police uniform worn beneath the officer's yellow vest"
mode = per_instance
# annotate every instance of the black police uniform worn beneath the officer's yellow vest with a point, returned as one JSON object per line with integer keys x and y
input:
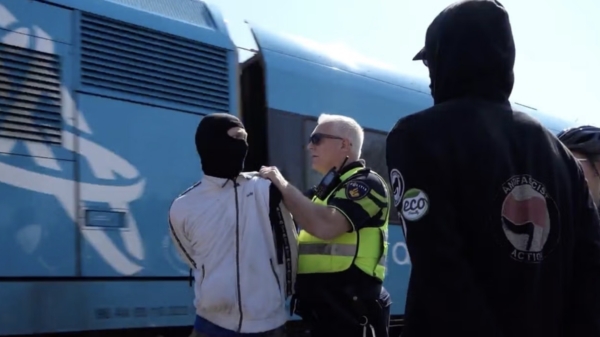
{"x": 332, "y": 304}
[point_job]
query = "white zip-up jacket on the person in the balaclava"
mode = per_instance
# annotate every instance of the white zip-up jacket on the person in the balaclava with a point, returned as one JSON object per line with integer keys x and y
{"x": 241, "y": 243}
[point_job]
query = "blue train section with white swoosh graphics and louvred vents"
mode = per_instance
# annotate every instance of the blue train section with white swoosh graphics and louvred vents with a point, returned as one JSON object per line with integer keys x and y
{"x": 86, "y": 222}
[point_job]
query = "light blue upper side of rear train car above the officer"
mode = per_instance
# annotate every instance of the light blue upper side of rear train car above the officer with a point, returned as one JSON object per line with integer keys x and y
{"x": 306, "y": 87}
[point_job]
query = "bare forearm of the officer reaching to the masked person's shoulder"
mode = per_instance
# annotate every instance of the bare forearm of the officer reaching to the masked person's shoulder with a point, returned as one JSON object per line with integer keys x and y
{"x": 321, "y": 221}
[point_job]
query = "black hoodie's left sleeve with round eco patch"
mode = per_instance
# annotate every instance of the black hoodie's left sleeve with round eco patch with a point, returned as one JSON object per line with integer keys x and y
{"x": 441, "y": 283}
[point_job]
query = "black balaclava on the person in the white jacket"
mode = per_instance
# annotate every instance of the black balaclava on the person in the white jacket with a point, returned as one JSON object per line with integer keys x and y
{"x": 221, "y": 155}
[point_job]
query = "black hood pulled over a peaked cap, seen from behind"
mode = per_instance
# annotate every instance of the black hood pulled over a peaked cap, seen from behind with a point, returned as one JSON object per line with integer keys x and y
{"x": 470, "y": 52}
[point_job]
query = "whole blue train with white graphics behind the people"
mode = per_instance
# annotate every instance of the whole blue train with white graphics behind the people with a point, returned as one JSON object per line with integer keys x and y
{"x": 99, "y": 103}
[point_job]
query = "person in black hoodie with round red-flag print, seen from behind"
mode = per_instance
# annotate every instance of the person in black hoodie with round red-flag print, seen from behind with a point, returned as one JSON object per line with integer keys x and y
{"x": 502, "y": 233}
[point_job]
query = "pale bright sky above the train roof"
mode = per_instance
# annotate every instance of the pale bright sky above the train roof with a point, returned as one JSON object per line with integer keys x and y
{"x": 557, "y": 55}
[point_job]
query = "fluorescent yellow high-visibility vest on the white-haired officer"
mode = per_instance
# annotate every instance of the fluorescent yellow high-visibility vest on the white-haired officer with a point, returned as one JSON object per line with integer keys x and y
{"x": 366, "y": 249}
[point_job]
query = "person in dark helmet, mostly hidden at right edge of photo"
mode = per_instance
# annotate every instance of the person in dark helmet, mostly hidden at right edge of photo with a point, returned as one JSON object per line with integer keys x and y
{"x": 584, "y": 143}
